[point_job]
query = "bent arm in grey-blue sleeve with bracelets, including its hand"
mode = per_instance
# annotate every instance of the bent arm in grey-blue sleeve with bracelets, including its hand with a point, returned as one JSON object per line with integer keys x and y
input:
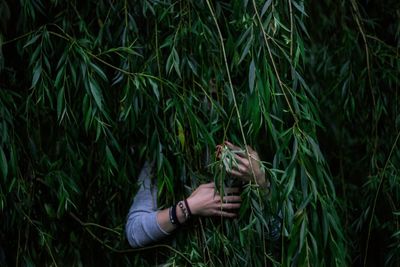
{"x": 146, "y": 225}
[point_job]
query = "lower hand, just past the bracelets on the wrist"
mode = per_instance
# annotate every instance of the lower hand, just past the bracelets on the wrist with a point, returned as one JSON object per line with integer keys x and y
{"x": 205, "y": 201}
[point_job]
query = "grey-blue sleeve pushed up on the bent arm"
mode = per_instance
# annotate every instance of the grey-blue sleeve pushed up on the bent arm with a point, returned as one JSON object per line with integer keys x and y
{"x": 142, "y": 227}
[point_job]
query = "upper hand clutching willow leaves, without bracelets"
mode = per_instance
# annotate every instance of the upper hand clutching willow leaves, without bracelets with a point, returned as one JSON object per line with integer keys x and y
{"x": 245, "y": 168}
